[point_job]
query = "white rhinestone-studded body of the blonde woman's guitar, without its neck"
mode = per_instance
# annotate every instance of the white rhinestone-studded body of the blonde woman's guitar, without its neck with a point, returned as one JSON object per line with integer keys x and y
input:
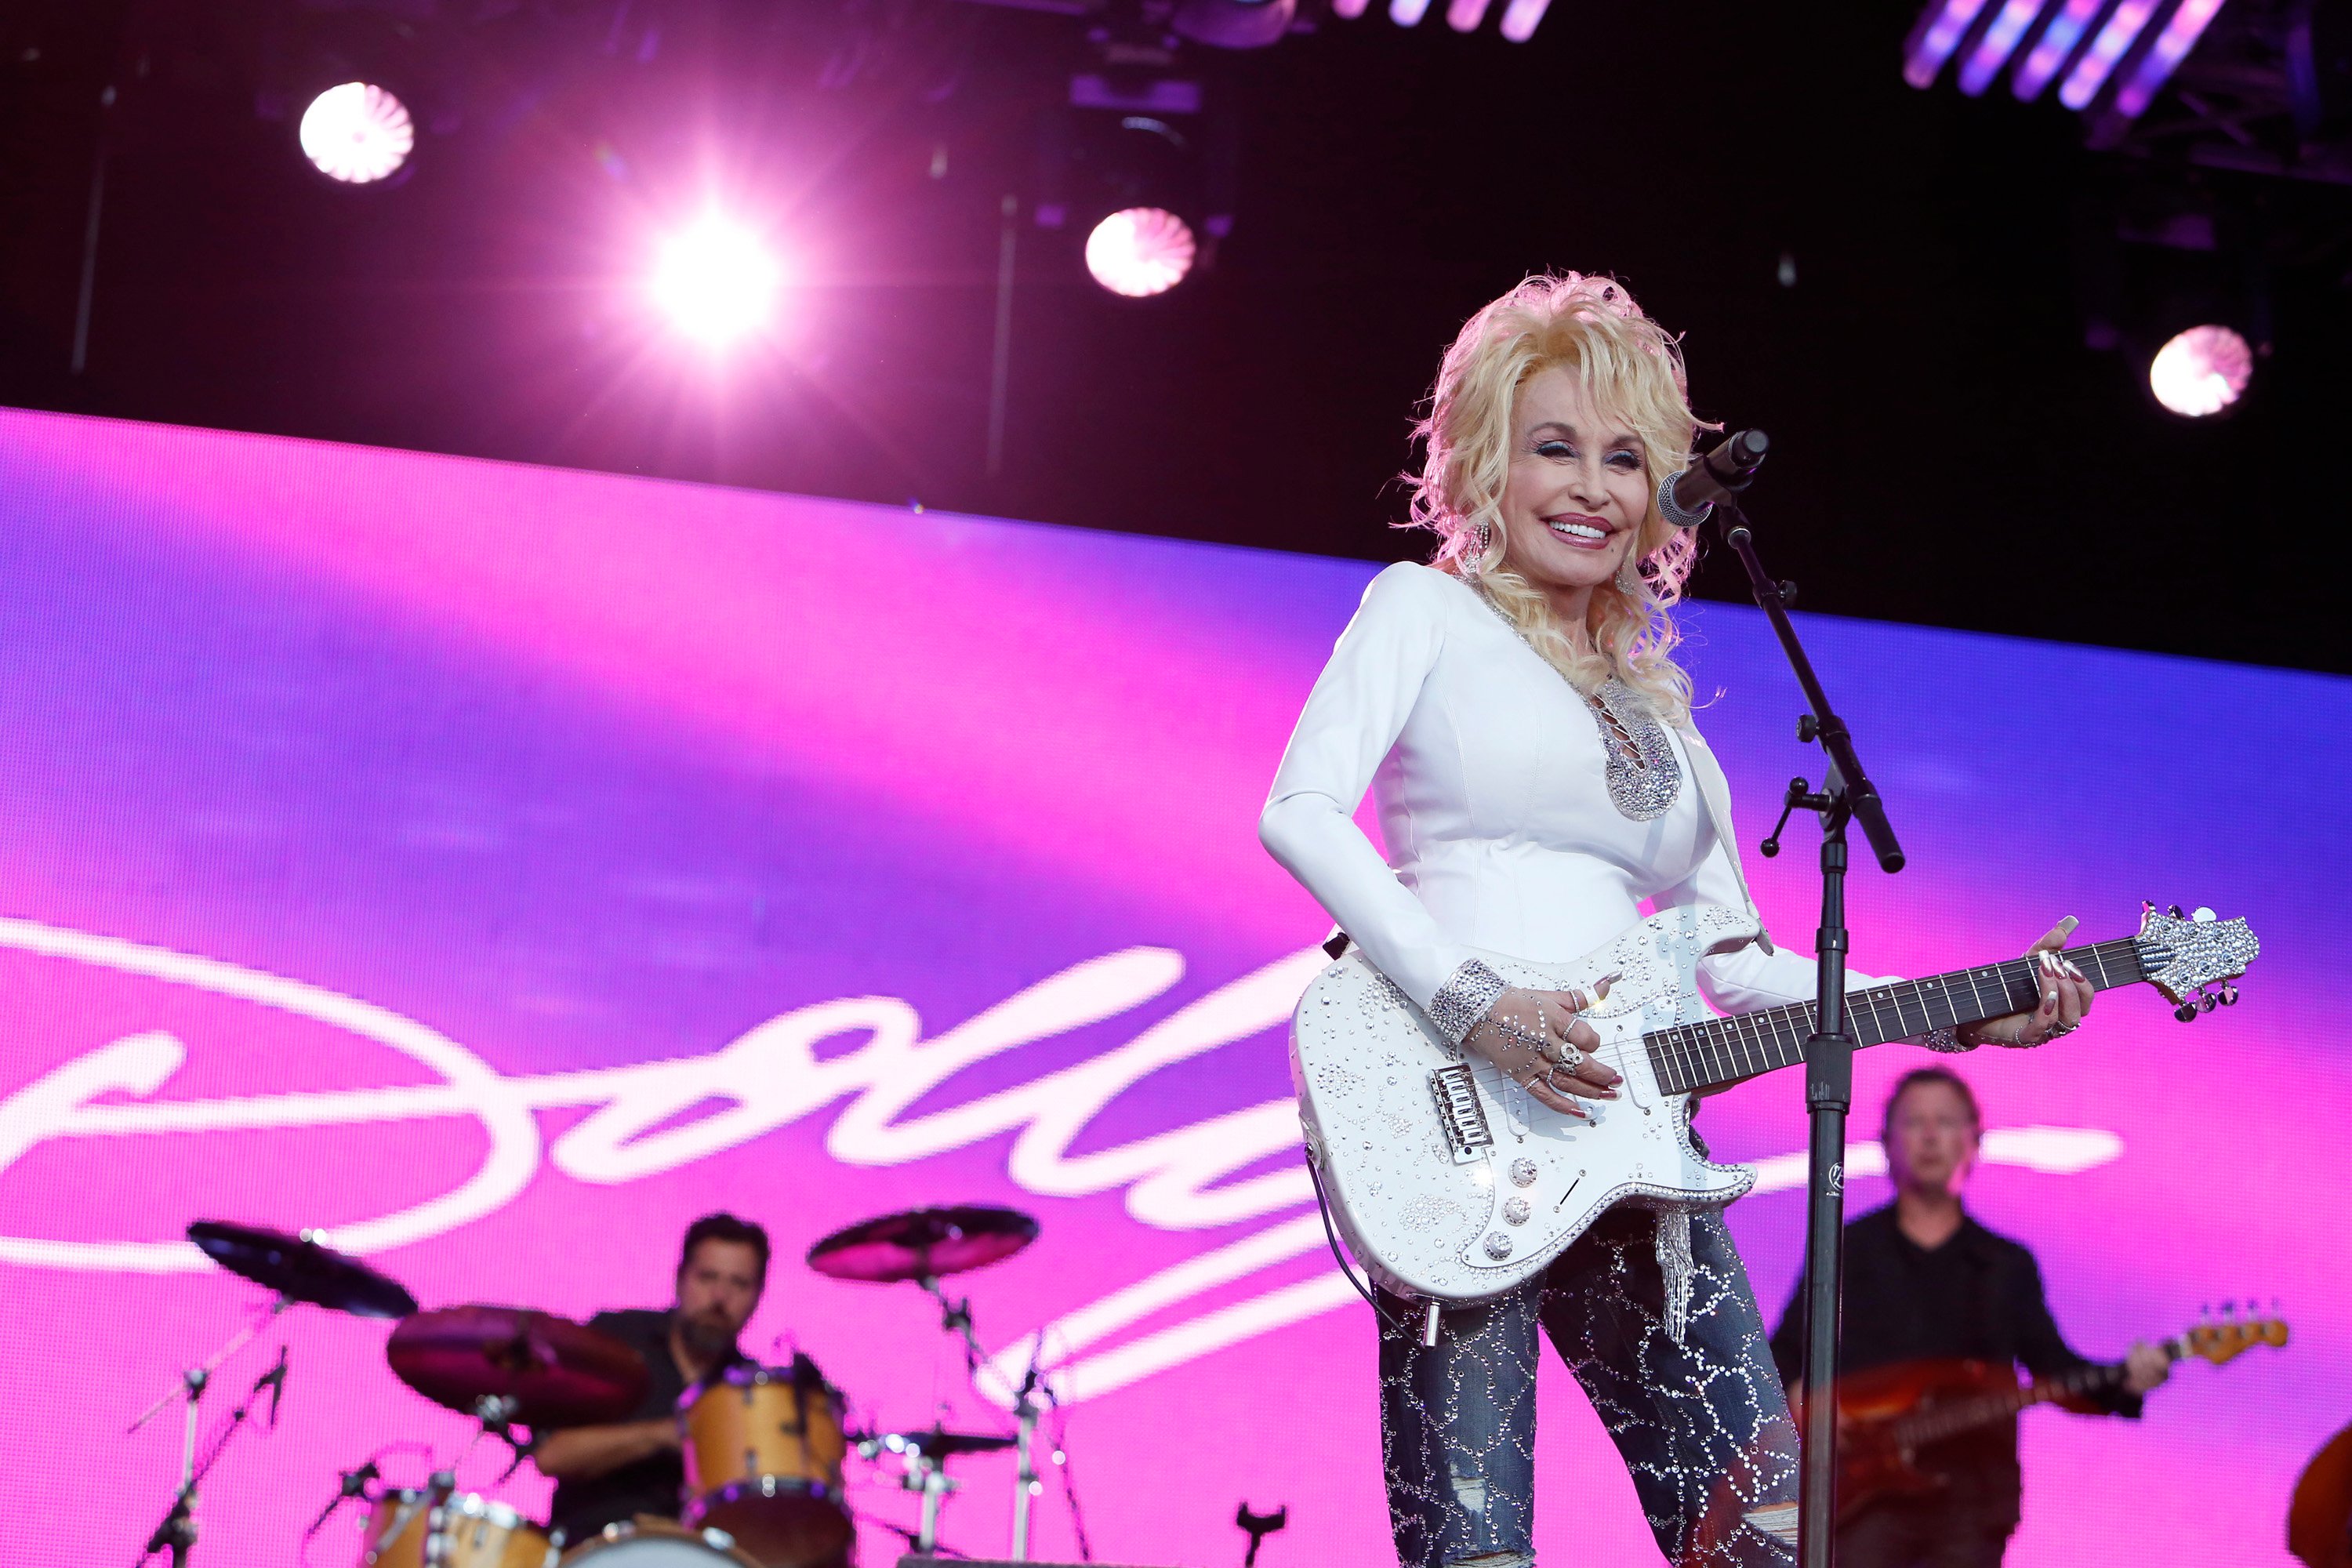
{"x": 1450, "y": 1181}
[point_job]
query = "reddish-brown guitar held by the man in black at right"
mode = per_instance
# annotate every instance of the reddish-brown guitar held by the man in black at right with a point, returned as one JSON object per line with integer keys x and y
{"x": 1890, "y": 1414}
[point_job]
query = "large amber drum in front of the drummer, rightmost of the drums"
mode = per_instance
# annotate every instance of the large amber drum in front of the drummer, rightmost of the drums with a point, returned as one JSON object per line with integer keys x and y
{"x": 766, "y": 1466}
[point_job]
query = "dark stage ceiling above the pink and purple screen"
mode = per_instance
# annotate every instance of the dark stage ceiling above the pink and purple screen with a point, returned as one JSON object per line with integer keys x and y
{"x": 1949, "y": 443}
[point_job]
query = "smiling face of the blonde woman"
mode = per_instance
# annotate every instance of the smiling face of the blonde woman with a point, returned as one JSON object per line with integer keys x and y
{"x": 1577, "y": 492}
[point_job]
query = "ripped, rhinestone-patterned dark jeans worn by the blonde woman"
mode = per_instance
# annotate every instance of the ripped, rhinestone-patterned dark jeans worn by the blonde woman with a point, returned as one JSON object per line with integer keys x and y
{"x": 1704, "y": 1426}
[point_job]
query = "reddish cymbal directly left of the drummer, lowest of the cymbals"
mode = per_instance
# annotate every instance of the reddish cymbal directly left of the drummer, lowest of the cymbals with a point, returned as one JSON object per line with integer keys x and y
{"x": 556, "y": 1372}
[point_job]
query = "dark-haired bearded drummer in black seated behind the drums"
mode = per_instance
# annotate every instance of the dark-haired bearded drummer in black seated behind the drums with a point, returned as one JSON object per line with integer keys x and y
{"x": 615, "y": 1473}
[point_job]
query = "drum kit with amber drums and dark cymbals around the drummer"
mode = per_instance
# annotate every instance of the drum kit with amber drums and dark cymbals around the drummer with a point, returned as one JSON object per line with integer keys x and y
{"x": 763, "y": 1447}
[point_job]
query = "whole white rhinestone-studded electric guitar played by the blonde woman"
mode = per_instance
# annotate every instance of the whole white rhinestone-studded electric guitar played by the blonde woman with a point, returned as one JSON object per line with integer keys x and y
{"x": 1452, "y": 1184}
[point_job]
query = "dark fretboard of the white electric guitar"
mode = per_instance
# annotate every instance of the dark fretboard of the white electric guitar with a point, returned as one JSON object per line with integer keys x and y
{"x": 1723, "y": 1052}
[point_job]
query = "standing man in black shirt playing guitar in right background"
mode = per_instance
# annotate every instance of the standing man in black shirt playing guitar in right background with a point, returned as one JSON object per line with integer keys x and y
{"x": 1925, "y": 1282}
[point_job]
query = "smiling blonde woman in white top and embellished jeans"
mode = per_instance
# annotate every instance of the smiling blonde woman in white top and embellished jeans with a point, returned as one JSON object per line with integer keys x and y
{"x": 1528, "y": 739}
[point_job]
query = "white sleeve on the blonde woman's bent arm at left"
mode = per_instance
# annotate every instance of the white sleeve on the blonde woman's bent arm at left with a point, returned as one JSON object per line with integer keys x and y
{"x": 1349, "y": 725}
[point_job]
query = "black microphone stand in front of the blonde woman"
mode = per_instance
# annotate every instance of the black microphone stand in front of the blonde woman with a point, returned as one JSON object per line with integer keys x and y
{"x": 1845, "y": 798}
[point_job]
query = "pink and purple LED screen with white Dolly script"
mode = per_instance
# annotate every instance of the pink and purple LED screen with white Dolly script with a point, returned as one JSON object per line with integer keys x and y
{"x": 505, "y": 866}
